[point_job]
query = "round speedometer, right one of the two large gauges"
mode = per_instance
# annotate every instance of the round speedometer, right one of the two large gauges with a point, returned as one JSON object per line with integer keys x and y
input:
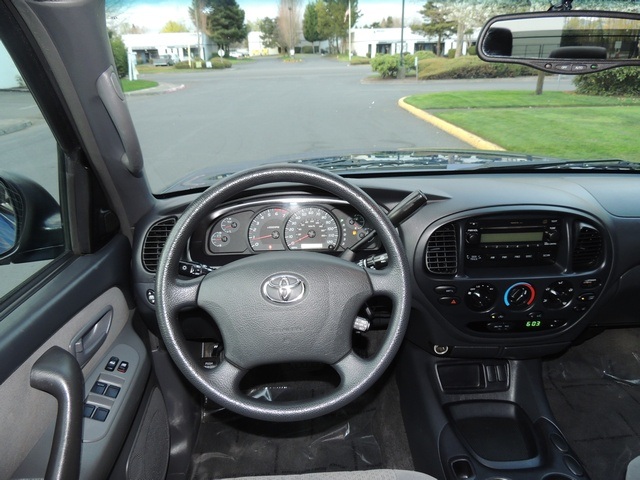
{"x": 312, "y": 228}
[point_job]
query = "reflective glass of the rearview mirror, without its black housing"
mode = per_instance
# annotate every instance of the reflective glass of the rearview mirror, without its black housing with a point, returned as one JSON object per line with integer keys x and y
{"x": 563, "y": 36}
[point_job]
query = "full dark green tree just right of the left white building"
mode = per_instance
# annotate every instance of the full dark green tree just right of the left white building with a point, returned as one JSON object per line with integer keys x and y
{"x": 225, "y": 22}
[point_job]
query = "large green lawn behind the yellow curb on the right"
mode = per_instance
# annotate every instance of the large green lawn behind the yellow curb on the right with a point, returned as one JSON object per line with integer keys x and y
{"x": 556, "y": 124}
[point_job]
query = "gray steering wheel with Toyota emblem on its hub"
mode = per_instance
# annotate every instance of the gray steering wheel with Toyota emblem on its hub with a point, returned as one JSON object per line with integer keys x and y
{"x": 281, "y": 307}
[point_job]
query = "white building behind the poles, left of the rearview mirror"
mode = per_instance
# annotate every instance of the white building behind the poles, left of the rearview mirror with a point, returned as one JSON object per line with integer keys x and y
{"x": 372, "y": 41}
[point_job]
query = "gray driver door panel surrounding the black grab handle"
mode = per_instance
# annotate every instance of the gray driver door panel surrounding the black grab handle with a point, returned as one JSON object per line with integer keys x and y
{"x": 92, "y": 292}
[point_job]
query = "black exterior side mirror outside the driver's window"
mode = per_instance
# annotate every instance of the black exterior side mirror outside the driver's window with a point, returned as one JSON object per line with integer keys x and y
{"x": 30, "y": 221}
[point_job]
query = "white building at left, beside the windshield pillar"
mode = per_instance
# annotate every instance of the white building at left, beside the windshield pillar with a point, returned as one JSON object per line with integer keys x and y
{"x": 180, "y": 46}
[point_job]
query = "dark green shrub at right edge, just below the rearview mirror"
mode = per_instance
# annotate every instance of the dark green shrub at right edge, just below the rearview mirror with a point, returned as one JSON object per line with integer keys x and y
{"x": 618, "y": 82}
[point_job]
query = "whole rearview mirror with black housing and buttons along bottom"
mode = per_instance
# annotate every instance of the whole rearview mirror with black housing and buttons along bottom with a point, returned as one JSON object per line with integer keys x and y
{"x": 572, "y": 42}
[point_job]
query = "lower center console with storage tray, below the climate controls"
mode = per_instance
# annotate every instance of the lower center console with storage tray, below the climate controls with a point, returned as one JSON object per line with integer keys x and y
{"x": 481, "y": 419}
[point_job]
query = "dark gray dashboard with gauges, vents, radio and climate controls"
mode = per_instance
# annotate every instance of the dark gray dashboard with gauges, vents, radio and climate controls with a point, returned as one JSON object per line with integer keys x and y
{"x": 504, "y": 265}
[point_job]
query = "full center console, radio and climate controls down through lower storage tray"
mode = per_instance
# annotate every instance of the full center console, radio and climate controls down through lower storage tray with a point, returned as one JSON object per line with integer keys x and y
{"x": 496, "y": 290}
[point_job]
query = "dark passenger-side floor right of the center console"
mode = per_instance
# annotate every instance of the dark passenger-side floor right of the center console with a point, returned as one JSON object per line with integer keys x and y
{"x": 594, "y": 392}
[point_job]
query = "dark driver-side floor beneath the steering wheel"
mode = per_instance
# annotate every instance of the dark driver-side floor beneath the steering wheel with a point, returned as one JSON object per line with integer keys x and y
{"x": 366, "y": 434}
